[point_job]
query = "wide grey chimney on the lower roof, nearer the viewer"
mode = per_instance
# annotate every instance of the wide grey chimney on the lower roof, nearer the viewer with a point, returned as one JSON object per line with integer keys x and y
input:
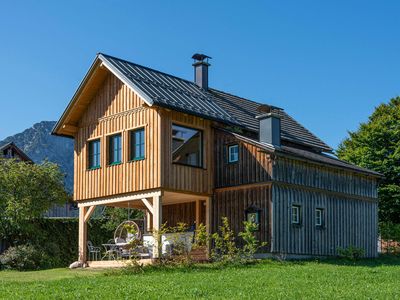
{"x": 270, "y": 128}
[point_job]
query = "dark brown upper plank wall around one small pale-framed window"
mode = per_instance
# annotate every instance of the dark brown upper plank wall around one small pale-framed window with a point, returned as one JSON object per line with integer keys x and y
{"x": 253, "y": 166}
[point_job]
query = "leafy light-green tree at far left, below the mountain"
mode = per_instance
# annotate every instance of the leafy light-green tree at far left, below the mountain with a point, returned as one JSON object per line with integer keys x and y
{"x": 26, "y": 192}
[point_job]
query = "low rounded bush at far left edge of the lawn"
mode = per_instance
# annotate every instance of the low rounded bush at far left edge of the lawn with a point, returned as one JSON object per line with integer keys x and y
{"x": 24, "y": 257}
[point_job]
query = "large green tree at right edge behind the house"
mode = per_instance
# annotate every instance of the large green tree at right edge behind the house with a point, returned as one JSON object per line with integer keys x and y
{"x": 376, "y": 146}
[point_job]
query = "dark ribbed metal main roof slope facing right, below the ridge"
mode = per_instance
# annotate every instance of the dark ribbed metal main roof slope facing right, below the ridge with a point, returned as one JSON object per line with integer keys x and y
{"x": 179, "y": 94}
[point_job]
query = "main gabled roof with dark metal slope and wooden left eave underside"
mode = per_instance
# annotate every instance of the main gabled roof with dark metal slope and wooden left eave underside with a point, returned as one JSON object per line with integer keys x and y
{"x": 158, "y": 88}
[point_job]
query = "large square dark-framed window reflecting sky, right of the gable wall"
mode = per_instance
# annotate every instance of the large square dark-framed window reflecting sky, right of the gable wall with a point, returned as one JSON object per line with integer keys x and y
{"x": 187, "y": 145}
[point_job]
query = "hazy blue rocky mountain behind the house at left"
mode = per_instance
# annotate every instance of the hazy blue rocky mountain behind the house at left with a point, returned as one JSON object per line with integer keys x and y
{"x": 39, "y": 145}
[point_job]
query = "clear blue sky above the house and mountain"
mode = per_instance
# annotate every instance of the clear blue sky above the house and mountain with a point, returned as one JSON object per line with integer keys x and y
{"x": 327, "y": 63}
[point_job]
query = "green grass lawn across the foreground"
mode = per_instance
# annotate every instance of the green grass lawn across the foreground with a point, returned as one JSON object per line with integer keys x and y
{"x": 377, "y": 279}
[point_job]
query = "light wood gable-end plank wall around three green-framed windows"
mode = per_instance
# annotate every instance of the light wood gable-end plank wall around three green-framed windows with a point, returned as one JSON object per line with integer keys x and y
{"x": 116, "y": 109}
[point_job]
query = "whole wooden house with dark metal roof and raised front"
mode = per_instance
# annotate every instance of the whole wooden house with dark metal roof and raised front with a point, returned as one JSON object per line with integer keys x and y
{"x": 185, "y": 152}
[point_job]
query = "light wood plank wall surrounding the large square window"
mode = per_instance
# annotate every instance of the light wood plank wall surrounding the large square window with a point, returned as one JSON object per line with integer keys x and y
{"x": 180, "y": 177}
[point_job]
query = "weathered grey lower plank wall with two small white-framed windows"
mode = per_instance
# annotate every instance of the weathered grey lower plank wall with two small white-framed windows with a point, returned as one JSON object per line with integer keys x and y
{"x": 347, "y": 222}
